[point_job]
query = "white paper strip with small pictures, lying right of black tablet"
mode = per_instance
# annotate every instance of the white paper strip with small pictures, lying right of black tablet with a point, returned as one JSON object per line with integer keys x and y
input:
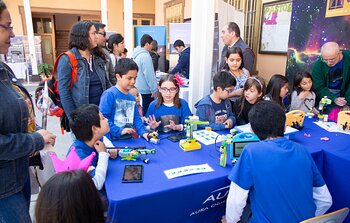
{"x": 187, "y": 170}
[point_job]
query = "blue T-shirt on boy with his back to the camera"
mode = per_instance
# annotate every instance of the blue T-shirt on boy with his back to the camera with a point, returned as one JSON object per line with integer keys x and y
{"x": 279, "y": 175}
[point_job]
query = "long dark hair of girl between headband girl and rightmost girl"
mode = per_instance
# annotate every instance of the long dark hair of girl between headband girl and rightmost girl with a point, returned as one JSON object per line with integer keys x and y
{"x": 274, "y": 86}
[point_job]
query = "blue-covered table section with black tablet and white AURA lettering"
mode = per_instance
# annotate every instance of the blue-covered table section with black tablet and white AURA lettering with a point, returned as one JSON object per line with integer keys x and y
{"x": 194, "y": 198}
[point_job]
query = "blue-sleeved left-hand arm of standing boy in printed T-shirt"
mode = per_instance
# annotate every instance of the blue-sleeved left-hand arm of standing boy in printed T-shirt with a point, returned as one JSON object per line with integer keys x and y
{"x": 107, "y": 108}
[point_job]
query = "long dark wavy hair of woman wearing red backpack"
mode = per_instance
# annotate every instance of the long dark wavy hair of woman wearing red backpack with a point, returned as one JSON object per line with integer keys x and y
{"x": 79, "y": 38}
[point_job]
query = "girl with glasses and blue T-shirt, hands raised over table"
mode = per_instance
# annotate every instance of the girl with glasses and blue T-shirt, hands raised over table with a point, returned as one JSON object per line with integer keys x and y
{"x": 168, "y": 112}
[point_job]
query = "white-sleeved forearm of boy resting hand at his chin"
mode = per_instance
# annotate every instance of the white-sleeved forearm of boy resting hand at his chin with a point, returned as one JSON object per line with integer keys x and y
{"x": 101, "y": 170}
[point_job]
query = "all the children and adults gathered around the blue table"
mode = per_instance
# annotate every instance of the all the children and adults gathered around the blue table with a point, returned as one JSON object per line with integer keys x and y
{"x": 103, "y": 104}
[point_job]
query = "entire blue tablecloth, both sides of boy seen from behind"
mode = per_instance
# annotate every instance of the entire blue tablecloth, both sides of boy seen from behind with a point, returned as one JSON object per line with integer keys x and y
{"x": 201, "y": 197}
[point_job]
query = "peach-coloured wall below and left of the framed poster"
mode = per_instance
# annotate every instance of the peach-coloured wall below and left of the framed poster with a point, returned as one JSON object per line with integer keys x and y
{"x": 270, "y": 64}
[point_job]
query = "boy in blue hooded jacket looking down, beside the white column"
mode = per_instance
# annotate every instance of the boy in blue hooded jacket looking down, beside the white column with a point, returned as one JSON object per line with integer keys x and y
{"x": 216, "y": 108}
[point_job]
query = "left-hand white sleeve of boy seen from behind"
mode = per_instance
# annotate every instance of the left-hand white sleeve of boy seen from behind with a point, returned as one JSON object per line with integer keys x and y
{"x": 235, "y": 203}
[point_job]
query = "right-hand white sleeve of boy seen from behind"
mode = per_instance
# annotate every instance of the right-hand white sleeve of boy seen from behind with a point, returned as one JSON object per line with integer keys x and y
{"x": 322, "y": 198}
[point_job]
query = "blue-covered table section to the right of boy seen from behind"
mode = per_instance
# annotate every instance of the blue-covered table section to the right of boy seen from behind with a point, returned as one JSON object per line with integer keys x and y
{"x": 332, "y": 159}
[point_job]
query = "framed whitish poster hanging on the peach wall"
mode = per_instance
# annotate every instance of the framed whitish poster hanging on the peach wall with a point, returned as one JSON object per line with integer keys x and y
{"x": 275, "y": 24}
